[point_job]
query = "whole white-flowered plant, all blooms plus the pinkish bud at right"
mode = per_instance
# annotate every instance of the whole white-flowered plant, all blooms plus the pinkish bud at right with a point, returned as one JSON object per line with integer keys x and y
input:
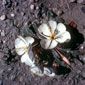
{"x": 49, "y": 35}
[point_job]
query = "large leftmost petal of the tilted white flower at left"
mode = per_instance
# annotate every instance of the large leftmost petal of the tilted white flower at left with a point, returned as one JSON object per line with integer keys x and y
{"x": 20, "y": 46}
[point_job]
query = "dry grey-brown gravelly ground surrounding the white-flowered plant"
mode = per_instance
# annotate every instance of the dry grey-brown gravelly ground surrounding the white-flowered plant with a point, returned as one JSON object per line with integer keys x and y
{"x": 15, "y": 15}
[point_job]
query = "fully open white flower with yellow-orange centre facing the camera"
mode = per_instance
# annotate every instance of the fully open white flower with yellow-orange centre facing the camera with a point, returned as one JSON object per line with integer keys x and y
{"x": 52, "y": 33}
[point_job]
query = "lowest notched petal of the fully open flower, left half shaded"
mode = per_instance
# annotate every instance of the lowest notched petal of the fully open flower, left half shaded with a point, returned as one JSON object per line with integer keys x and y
{"x": 47, "y": 44}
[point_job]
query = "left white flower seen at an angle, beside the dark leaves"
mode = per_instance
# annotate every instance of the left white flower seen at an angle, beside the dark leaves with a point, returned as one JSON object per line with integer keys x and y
{"x": 22, "y": 47}
